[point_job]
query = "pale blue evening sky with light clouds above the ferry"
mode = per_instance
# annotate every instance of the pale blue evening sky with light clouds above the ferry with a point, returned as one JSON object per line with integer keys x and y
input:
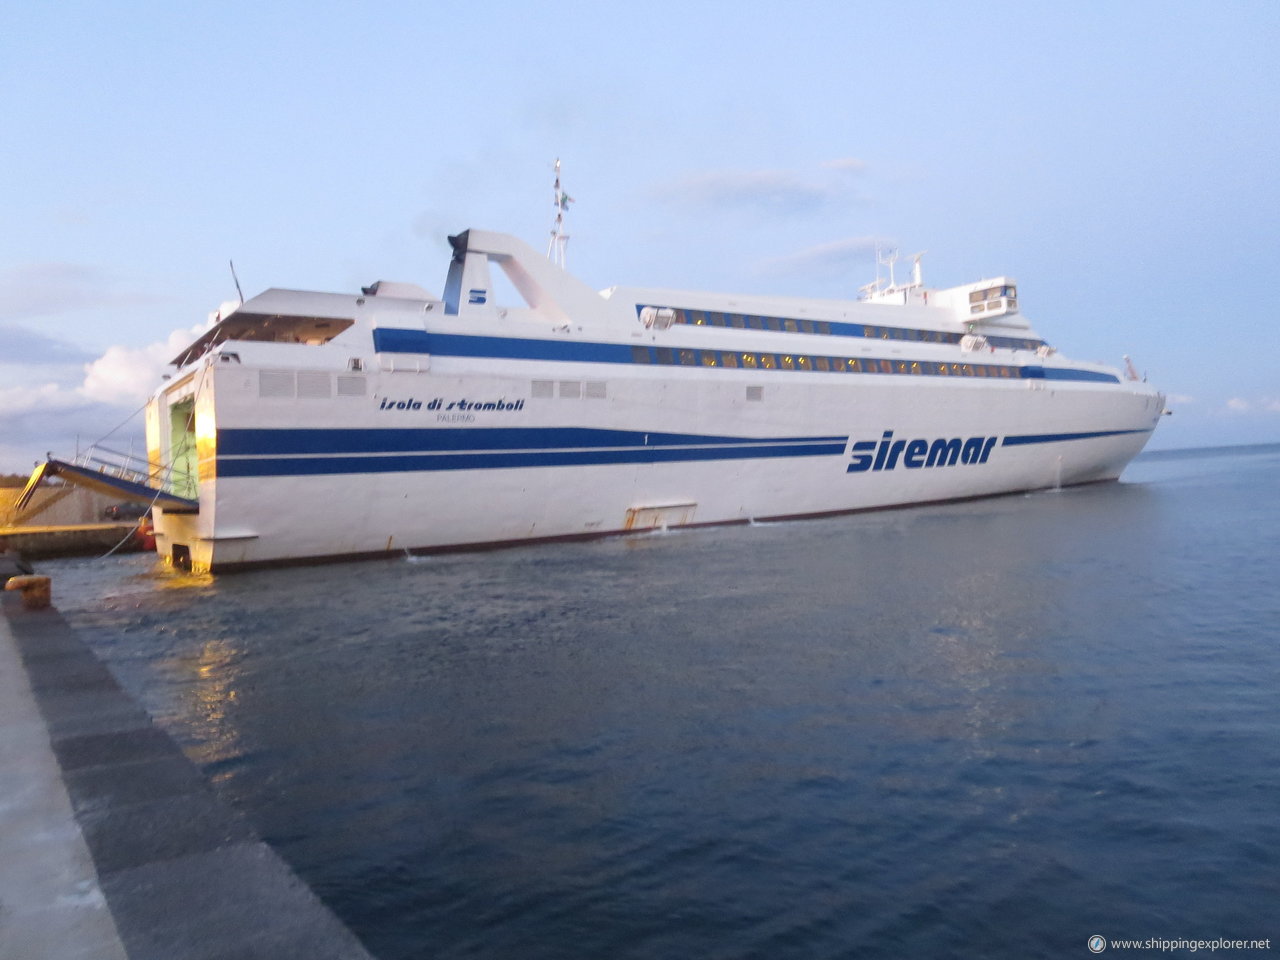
{"x": 1118, "y": 159}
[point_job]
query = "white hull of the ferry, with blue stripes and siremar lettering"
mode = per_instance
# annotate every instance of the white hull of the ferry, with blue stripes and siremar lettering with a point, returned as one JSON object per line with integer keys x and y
{"x": 307, "y": 473}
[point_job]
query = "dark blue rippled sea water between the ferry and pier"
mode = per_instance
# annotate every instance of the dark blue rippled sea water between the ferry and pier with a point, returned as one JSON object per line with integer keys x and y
{"x": 989, "y": 729}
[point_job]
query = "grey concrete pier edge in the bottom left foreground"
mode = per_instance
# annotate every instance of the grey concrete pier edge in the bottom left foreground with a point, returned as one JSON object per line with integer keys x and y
{"x": 113, "y": 845}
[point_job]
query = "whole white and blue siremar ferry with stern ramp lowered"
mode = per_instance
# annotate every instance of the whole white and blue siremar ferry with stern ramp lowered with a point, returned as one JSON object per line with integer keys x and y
{"x": 309, "y": 427}
